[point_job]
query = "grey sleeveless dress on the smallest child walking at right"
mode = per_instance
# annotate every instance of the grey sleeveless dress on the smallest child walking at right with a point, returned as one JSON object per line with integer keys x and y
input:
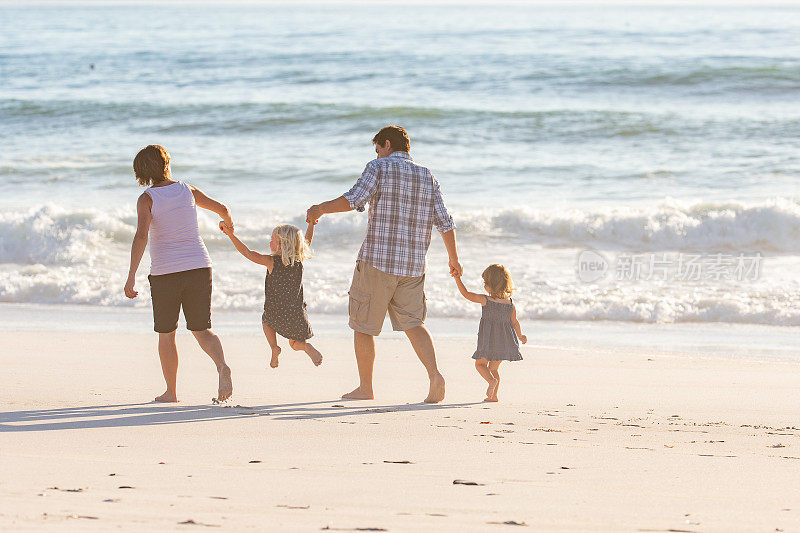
{"x": 497, "y": 340}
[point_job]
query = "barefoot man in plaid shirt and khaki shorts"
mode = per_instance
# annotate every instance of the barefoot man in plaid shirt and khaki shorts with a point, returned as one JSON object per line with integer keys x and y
{"x": 404, "y": 204}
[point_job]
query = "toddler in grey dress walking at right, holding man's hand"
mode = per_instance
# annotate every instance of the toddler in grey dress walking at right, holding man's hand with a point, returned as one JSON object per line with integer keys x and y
{"x": 499, "y": 333}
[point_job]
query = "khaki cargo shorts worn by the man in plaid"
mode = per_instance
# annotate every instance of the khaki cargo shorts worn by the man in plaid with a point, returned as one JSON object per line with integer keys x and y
{"x": 373, "y": 292}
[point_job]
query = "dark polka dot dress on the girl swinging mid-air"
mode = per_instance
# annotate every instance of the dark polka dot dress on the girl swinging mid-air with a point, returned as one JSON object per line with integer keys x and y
{"x": 284, "y": 306}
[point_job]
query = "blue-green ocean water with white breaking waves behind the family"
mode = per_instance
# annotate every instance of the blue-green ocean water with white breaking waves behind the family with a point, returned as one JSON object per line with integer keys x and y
{"x": 654, "y": 135}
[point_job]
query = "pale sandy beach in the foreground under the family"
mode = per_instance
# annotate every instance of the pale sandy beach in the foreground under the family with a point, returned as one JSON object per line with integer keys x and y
{"x": 582, "y": 440}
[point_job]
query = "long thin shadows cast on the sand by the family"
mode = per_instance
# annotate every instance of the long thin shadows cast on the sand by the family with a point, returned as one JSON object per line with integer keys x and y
{"x": 151, "y": 414}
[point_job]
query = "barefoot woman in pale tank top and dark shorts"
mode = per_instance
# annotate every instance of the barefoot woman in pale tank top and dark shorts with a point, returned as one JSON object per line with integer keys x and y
{"x": 180, "y": 268}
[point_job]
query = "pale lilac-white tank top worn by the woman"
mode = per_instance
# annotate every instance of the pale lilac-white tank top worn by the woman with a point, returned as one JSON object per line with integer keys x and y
{"x": 175, "y": 243}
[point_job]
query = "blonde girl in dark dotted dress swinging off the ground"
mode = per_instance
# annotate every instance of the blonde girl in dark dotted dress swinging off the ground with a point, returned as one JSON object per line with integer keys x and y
{"x": 284, "y": 306}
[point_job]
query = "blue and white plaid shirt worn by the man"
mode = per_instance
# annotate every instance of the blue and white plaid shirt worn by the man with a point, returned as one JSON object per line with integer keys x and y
{"x": 404, "y": 204}
